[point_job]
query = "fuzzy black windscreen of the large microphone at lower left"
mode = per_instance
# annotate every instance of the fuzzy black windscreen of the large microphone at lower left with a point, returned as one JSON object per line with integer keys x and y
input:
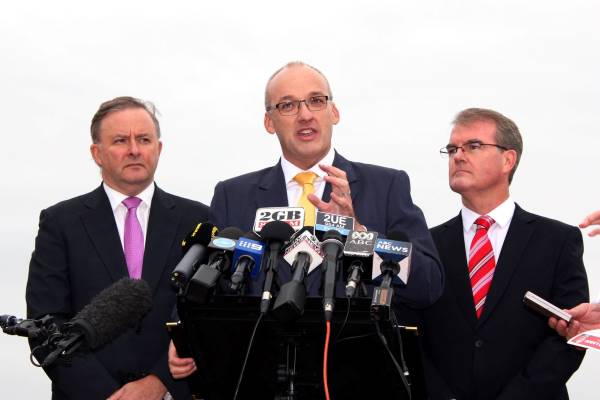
{"x": 115, "y": 309}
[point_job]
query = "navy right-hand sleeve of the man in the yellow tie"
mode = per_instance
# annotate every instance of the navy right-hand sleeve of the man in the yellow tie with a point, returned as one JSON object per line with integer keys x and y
{"x": 425, "y": 281}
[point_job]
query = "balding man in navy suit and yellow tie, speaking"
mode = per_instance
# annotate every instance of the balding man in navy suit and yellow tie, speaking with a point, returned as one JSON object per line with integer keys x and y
{"x": 300, "y": 111}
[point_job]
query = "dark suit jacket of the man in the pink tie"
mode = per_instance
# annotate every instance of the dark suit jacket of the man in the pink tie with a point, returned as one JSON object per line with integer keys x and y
{"x": 77, "y": 254}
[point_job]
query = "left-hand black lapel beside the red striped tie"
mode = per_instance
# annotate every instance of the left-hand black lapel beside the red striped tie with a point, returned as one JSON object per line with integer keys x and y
{"x": 455, "y": 260}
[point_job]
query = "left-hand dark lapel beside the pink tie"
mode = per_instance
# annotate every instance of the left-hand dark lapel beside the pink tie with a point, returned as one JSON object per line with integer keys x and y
{"x": 100, "y": 225}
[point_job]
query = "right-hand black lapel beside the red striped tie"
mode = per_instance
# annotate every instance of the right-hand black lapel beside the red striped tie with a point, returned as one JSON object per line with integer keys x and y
{"x": 517, "y": 238}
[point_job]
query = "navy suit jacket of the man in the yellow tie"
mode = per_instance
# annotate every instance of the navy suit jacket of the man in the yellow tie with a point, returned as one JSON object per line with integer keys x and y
{"x": 382, "y": 202}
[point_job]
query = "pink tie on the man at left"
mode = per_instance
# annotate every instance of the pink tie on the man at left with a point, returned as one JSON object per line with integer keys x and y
{"x": 133, "y": 238}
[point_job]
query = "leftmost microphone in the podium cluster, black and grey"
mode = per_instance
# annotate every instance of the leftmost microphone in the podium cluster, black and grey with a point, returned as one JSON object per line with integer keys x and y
{"x": 195, "y": 251}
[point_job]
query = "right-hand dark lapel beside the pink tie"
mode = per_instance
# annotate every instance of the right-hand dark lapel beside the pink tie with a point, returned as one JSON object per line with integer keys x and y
{"x": 162, "y": 231}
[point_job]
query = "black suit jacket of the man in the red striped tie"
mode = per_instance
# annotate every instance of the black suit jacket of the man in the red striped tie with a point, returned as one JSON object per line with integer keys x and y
{"x": 510, "y": 352}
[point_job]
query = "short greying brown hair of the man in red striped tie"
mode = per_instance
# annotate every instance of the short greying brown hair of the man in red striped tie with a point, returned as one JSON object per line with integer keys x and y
{"x": 507, "y": 132}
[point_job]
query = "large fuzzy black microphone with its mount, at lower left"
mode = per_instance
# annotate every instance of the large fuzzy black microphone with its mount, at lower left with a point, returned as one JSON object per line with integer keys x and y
{"x": 115, "y": 309}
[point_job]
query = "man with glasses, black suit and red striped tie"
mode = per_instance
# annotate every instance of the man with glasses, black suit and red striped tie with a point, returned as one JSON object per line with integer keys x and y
{"x": 480, "y": 342}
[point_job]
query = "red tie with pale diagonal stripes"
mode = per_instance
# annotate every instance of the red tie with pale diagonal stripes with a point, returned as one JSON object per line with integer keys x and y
{"x": 481, "y": 263}
